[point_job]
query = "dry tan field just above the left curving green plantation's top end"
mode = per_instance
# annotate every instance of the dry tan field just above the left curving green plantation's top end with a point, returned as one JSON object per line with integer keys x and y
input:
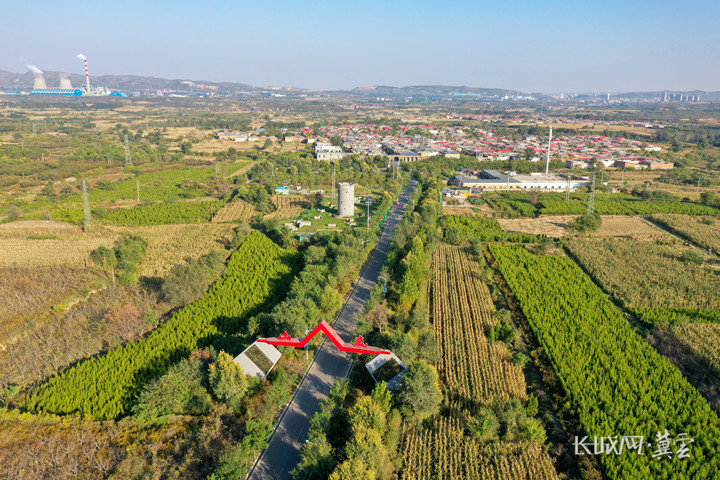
{"x": 171, "y": 244}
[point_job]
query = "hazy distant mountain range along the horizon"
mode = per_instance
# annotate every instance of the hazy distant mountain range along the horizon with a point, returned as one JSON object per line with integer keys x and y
{"x": 11, "y": 81}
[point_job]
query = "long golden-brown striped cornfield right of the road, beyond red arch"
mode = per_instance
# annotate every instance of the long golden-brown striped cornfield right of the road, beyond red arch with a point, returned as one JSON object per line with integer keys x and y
{"x": 474, "y": 369}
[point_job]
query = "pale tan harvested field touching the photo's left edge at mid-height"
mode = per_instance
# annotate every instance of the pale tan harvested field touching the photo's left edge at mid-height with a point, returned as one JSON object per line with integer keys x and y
{"x": 38, "y": 243}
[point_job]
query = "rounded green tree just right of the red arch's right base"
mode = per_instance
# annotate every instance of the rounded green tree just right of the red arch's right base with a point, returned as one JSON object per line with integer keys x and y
{"x": 420, "y": 393}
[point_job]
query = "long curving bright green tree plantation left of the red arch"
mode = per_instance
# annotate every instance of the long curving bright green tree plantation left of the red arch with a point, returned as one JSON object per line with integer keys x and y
{"x": 105, "y": 387}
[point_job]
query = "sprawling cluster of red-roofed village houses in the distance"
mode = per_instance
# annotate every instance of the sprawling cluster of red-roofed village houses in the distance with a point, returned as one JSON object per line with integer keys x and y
{"x": 408, "y": 143}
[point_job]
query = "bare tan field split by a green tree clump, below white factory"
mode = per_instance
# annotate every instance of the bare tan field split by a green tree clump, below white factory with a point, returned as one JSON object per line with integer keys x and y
{"x": 612, "y": 226}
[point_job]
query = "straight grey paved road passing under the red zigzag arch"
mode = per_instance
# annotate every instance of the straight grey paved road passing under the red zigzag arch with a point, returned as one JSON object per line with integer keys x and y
{"x": 283, "y": 452}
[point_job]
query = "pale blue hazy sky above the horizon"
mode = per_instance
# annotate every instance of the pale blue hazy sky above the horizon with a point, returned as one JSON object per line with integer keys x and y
{"x": 542, "y": 45}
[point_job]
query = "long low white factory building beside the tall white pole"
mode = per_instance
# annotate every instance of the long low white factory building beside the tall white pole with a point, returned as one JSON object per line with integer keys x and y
{"x": 492, "y": 180}
